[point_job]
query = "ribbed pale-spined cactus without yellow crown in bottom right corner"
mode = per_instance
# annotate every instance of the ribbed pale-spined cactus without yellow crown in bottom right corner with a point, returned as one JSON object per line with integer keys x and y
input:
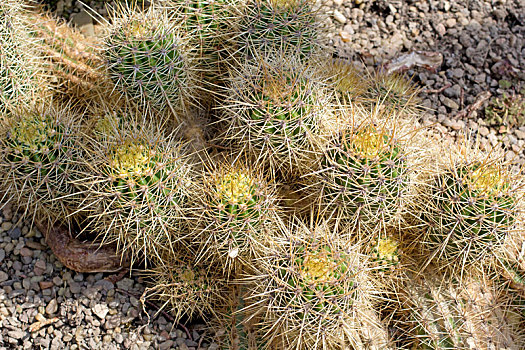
{"x": 444, "y": 315}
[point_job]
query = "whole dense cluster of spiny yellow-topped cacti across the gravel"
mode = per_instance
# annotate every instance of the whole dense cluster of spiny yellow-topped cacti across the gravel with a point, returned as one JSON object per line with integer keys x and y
{"x": 285, "y": 197}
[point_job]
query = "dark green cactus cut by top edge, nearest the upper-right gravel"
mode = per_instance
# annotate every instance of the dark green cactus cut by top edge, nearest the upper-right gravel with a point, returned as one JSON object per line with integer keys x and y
{"x": 289, "y": 26}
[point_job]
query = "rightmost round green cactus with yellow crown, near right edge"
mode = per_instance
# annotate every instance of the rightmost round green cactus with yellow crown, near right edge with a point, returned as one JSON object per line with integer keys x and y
{"x": 471, "y": 209}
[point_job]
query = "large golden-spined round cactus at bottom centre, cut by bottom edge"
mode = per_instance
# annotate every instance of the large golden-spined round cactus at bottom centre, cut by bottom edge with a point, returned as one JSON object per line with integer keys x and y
{"x": 311, "y": 286}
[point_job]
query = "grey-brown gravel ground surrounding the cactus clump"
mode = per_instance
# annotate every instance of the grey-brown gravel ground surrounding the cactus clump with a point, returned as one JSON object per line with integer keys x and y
{"x": 44, "y": 305}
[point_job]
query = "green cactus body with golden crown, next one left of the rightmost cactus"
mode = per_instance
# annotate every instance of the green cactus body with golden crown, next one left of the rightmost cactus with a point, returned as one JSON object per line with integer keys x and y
{"x": 366, "y": 175}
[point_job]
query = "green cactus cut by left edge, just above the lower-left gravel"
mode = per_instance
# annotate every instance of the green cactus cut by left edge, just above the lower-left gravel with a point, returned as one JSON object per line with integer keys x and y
{"x": 40, "y": 157}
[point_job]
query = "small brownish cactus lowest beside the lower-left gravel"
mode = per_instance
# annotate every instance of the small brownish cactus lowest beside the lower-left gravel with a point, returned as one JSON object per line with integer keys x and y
{"x": 184, "y": 289}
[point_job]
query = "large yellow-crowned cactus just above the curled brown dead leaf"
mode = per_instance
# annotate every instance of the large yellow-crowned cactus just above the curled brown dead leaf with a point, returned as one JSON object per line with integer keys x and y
{"x": 137, "y": 186}
